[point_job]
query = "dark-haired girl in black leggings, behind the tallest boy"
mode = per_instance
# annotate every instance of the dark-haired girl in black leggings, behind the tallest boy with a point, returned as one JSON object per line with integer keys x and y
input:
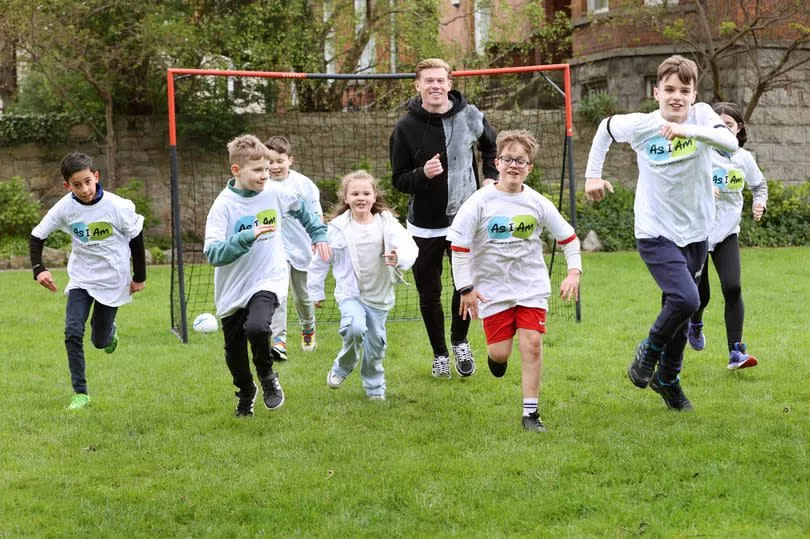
{"x": 730, "y": 173}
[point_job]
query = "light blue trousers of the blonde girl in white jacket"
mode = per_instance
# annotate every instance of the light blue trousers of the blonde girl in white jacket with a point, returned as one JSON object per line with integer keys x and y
{"x": 363, "y": 331}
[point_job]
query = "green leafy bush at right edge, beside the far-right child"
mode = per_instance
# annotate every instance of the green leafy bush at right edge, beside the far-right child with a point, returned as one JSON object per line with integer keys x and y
{"x": 785, "y": 223}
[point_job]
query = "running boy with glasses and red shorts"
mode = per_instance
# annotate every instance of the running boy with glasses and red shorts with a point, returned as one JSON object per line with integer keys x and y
{"x": 499, "y": 269}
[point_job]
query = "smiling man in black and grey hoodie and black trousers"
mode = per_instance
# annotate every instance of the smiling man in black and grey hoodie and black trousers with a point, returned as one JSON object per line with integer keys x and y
{"x": 432, "y": 160}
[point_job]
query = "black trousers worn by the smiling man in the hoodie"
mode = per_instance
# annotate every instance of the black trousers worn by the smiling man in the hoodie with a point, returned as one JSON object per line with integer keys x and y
{"x": 427, "y": 274}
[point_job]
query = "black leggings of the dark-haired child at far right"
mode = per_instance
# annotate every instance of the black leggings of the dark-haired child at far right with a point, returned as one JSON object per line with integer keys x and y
{"x": 726, "y": 259}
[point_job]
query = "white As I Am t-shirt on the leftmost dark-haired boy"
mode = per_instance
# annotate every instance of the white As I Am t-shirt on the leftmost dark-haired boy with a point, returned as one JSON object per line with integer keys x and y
{"x": 100, "y": 234}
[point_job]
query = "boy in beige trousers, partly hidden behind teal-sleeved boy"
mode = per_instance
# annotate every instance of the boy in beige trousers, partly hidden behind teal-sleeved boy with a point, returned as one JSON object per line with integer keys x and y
{"x": 297, "y": 246}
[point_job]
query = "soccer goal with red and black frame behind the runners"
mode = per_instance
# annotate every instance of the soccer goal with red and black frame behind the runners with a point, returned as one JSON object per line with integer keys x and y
{"x": 337, "y": 123}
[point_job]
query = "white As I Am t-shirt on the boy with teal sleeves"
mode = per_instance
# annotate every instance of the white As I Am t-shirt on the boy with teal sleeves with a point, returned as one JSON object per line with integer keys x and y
{"x": 264, "y": 266}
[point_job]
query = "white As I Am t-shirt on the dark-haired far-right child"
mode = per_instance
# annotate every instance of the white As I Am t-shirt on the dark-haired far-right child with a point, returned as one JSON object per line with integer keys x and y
{"x": 729, "y": 175}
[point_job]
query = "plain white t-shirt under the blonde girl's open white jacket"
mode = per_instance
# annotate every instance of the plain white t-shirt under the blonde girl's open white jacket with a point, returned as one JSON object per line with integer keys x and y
{"x": 366, "y": 251}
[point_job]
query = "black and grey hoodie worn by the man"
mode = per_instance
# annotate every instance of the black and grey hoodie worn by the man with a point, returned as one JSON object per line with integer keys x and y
{"x": 418, "y": 136}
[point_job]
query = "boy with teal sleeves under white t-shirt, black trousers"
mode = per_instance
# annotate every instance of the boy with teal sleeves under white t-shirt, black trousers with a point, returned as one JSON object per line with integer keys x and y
{"x": 243, "y": 243}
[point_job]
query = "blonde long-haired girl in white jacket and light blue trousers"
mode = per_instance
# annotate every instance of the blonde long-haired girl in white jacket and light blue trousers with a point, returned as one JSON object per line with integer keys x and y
{"x": 369, "y": 250}
